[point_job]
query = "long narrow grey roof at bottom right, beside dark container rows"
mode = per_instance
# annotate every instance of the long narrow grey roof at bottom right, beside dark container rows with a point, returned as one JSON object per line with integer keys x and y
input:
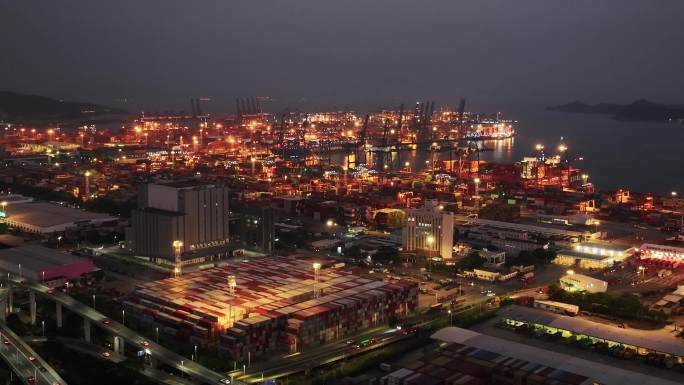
{"x": 604, "y": 374}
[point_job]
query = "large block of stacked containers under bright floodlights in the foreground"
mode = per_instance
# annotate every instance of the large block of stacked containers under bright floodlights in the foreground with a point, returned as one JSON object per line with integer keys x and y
{"x": 273, "y": 303}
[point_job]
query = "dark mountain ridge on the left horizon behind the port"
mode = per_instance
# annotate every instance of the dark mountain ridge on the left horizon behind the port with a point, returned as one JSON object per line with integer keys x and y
{"x": 23, "y": 107}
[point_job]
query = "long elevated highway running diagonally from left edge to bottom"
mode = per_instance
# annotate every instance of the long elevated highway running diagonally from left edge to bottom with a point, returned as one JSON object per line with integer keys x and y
{"x": 156, "y": 351}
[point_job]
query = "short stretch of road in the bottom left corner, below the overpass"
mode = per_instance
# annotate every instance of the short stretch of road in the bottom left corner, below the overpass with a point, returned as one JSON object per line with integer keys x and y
{"x": 17, "y": 352}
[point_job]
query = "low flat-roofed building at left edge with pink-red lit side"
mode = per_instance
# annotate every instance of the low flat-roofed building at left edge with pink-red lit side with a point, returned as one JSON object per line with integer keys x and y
{"x": 41, "y": 264}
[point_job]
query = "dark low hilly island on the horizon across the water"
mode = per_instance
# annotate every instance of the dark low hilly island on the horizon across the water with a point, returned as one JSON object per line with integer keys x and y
{"x": 638, "y": 111}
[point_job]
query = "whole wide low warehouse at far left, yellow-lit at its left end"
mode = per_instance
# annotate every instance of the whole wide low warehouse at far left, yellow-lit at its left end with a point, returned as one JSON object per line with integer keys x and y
{"x": 47, "y": 218}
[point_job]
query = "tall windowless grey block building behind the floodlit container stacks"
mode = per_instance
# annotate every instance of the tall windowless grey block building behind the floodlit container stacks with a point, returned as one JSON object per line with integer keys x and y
{"x": 192, "y": 212}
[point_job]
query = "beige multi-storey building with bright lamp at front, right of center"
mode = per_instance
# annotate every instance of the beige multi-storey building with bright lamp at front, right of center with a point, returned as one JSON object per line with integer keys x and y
{"x": 429, "y": 231}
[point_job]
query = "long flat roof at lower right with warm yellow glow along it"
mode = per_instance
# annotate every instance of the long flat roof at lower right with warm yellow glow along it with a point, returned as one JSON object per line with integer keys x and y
{"x": 652, "y": 340}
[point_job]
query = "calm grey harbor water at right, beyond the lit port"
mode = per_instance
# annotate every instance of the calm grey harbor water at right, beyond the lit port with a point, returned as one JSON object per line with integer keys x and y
{"x": 640, "y": 156}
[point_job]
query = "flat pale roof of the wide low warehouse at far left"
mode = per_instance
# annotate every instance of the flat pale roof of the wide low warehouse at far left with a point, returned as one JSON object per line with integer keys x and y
{"x": 44, "y": 214}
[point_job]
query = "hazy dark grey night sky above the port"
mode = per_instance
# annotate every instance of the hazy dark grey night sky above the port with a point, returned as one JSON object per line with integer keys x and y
{"x": 334, "y": 54}
